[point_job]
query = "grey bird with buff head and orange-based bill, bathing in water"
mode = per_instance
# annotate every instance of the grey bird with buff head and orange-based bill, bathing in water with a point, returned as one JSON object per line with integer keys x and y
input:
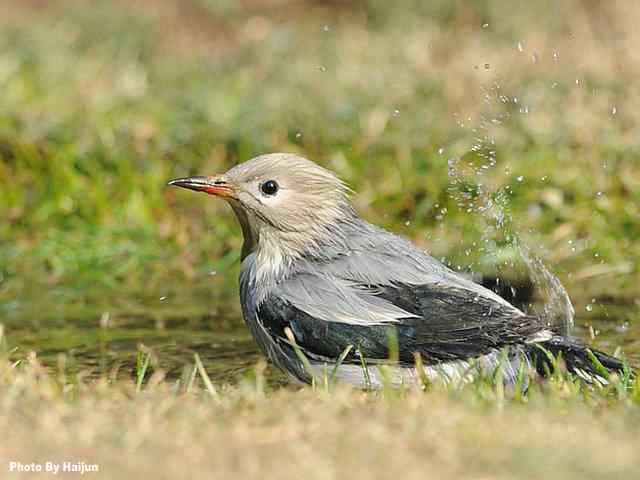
{"x": 323, "y": 290}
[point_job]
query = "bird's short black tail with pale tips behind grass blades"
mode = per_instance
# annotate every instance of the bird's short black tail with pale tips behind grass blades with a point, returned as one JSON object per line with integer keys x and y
{"x": 590, "y": 365}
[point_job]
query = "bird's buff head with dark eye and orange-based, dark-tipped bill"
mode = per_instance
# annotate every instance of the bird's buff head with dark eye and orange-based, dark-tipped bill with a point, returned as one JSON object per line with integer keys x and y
{"x": 281, "y": 199}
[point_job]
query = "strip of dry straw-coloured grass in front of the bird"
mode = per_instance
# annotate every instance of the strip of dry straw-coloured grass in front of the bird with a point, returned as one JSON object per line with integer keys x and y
{"x": 164, "y": 432}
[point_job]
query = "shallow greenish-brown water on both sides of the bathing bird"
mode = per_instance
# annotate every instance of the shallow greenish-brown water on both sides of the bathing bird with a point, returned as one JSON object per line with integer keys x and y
{"x": 102, "y": 337}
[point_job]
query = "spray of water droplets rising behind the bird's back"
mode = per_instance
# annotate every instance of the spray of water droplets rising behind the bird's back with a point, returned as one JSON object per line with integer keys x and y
{"x": 470, "y": 179}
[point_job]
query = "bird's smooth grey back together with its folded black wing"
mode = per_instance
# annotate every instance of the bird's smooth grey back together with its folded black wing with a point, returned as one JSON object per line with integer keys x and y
{"x": 368, "y": 299}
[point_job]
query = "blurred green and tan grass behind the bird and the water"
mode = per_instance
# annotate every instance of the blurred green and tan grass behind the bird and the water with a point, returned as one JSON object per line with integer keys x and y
{"x": 103, "y": 102}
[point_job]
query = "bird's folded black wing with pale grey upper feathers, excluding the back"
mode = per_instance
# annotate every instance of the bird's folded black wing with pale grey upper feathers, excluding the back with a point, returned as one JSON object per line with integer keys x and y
{"x": 441, "y": 325}
